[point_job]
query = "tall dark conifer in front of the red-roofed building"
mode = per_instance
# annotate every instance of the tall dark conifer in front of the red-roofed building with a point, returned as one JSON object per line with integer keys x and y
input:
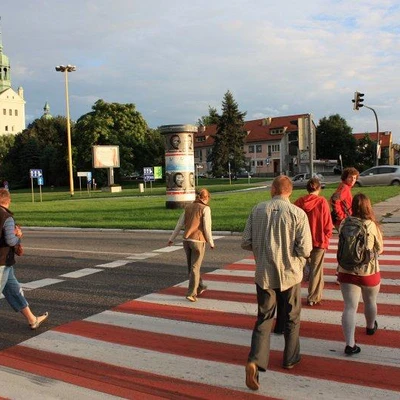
{"x": 229, "y": 139}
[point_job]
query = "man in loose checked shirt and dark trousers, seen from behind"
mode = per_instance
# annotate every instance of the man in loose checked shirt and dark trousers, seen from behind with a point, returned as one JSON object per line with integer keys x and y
{"x": 278, "y": 234}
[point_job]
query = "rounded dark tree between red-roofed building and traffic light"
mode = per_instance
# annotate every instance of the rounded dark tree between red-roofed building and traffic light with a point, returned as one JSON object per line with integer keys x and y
{"x": 334, "y": 137}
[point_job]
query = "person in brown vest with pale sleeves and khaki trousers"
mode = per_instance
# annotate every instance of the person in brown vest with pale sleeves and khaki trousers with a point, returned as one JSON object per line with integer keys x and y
{"x": 197, "y": 224}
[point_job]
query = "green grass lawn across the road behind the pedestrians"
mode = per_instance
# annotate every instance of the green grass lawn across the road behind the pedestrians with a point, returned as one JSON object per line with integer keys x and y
{"x": 129, "y": 209}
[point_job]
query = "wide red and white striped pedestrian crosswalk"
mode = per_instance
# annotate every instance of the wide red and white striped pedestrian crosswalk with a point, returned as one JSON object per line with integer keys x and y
{"x": 162, "y": 346}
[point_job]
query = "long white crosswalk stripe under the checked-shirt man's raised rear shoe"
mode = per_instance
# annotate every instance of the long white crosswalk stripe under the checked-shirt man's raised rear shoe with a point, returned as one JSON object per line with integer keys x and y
{"x": 275, "y": 384}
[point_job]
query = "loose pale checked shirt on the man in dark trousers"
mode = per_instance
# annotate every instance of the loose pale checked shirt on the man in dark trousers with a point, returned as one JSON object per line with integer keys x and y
{"x": 279, "y": 235}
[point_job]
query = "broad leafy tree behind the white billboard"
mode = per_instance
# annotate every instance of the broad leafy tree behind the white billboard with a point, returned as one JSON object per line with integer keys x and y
{"x": 117, "y": 124}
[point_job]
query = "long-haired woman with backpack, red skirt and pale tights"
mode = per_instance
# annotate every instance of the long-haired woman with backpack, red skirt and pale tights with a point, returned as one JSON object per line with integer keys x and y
{"x": 363, "y": 279}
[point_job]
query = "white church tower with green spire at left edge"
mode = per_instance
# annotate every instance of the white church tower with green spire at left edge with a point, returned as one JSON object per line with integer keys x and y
{"x": 12, "y": 104}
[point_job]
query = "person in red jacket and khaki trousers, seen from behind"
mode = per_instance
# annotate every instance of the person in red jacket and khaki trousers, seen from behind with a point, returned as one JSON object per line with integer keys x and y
{"x": 319, "y": 217}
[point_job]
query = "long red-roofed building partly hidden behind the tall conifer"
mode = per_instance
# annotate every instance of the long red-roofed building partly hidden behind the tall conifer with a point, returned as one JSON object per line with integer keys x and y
{"x": 273, "y": 145}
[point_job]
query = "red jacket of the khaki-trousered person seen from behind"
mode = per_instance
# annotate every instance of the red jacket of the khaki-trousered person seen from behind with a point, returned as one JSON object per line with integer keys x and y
{"x": 319, "y": 218}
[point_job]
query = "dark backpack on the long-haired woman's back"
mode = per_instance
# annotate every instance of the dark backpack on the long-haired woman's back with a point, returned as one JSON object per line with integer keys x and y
{"x": 353, "y": 254}
